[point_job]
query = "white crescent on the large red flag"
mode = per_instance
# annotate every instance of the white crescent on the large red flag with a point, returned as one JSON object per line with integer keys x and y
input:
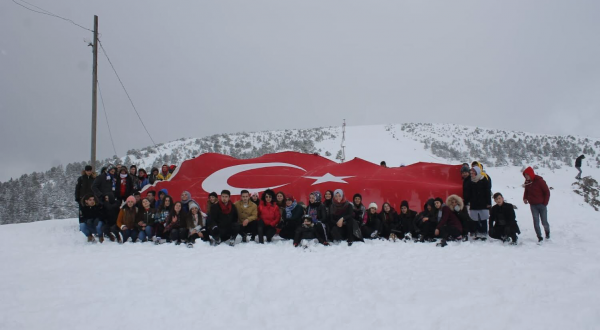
{"x": 218, "y": 180}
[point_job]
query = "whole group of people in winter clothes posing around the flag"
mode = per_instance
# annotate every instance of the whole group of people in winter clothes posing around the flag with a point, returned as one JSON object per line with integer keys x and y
{"x": 111, "y": 206}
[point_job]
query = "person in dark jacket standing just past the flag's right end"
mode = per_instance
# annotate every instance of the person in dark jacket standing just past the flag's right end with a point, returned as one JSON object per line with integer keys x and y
{"x": 480, "y": 200}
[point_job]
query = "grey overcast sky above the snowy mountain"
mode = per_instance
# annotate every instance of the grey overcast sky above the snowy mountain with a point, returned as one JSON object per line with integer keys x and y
{"x": 195, "y": 68}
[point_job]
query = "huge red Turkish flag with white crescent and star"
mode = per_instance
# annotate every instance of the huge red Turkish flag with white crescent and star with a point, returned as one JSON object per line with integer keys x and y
{"x": 300, "y": 174}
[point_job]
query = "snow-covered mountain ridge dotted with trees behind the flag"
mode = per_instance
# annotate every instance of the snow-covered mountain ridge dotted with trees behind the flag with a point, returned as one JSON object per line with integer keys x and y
{"x": 50, "y": 195}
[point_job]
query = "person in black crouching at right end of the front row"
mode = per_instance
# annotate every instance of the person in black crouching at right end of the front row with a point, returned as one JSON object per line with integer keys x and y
{"x": 503, "y": 221}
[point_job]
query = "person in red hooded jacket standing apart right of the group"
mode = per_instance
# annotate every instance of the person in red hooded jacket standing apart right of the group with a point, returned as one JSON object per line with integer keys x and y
{"x": 537, "y": 195}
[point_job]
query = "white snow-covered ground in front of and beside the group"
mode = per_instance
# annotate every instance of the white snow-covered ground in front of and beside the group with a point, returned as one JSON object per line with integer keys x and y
{"x": 52, "y": 279}
